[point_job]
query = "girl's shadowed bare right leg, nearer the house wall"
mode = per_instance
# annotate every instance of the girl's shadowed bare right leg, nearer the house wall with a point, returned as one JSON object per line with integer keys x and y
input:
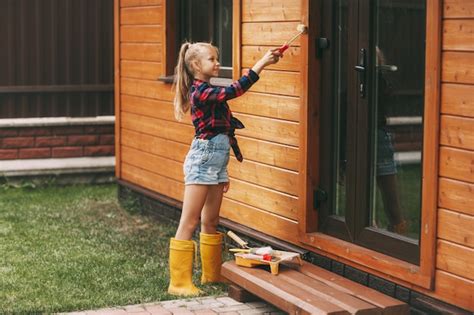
{"x": 210, "y": 212}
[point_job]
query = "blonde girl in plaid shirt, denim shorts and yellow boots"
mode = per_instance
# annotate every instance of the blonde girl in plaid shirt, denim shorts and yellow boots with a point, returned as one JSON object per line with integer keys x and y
{"x": 205, "y": 166}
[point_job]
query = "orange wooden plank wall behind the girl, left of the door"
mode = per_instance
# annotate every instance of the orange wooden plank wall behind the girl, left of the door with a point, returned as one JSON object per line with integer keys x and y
{"x": 264, "y": 188}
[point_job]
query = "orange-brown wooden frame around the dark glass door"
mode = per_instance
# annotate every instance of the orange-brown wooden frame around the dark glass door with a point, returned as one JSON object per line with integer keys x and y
{"x": 421, "y": 275}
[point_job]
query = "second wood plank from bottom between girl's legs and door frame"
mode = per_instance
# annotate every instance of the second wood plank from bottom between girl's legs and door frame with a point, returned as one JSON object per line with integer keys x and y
{"x": 263, "y": 198}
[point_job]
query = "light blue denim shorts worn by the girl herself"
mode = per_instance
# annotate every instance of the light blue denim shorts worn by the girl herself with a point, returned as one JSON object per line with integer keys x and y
{"x": 206, "y": 162}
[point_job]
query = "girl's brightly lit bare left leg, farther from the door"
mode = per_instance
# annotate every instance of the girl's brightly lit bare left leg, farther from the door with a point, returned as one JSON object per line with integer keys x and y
{"x": 194, "y": 198}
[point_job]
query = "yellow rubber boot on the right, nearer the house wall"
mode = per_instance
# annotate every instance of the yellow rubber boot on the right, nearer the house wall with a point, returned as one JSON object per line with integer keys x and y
{"x": 211, "y": 257}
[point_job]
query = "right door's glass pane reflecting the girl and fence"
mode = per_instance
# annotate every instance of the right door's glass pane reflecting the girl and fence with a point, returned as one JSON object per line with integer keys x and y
{"x": 397, "y": 131}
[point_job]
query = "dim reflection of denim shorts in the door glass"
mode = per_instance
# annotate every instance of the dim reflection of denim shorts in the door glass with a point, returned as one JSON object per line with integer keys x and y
{"x": 385, "y": 154}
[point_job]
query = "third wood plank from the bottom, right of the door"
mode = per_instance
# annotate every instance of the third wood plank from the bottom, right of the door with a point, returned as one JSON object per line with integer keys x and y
{"x": 456, "y": 227}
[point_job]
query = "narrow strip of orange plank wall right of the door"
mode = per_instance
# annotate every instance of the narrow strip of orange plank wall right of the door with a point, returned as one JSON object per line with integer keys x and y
{"x": 455, "y": 242}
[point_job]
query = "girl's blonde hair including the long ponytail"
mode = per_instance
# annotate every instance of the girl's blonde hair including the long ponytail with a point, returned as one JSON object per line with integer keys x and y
{"x": 184, "y": 75}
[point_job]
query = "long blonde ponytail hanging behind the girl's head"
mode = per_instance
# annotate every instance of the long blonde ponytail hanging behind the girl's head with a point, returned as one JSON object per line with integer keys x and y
{"x": 183, "y": 81}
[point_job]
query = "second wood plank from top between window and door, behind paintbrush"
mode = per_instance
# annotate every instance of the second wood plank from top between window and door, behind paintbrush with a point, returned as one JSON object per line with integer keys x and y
{"x": 273, "y": 34}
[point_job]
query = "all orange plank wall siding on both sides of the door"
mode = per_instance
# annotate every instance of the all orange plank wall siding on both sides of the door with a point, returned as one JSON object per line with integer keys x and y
{"x": 265, "y": 188}
